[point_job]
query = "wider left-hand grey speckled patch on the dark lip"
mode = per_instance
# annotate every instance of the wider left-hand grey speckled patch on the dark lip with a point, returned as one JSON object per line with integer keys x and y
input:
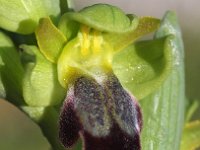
{"x": 90, "y": 106}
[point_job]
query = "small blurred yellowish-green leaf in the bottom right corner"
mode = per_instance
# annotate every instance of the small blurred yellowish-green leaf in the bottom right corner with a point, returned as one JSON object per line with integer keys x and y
{"x": 191, "y": 136}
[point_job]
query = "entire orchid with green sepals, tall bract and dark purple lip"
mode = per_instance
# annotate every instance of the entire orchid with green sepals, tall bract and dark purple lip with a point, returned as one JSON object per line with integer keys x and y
{"x": 85, "y": 77}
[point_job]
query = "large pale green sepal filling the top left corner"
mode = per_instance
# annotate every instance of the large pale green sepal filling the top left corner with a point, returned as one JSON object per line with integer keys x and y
{"x": 22, "y": 16}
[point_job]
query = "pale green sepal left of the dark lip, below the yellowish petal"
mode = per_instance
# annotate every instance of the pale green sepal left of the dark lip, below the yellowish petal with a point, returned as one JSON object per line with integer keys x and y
{"x": 41, "y": 86}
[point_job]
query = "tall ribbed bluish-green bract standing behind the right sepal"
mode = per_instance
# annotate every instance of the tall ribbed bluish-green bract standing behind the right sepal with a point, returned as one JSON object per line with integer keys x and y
{"x": 163, "y": 110}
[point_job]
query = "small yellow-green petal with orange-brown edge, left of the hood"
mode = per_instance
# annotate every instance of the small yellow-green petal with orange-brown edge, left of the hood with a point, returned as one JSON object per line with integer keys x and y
{"x": 50, "y": 39}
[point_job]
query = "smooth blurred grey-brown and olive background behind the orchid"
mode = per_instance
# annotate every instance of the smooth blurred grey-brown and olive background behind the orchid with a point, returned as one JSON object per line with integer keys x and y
{"x": 17, "y": 132}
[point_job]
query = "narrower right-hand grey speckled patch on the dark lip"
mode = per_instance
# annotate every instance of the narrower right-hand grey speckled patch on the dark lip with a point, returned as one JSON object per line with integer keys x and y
{"x": 124, "y": 107}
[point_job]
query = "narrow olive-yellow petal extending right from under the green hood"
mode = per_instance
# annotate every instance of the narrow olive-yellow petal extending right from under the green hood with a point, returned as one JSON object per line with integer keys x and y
{"x": 120, "y": 41}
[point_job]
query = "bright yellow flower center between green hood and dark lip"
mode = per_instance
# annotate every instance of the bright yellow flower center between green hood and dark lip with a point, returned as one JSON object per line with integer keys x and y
{"x": 87, "y": 54}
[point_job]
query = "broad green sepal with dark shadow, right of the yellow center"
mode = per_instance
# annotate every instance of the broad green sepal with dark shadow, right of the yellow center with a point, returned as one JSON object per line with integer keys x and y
{"x": 142, "y": 67}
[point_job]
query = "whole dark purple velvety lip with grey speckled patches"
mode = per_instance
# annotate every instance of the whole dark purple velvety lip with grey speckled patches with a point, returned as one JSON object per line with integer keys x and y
{"x": 105, "y": 115}
